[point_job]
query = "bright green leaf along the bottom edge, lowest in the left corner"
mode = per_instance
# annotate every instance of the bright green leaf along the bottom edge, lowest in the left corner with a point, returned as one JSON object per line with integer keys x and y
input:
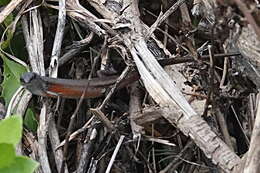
{"x": 21, "y": 164}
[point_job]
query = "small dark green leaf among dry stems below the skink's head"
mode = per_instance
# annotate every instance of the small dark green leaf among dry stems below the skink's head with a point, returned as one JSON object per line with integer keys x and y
{"x": 29, "y": 120}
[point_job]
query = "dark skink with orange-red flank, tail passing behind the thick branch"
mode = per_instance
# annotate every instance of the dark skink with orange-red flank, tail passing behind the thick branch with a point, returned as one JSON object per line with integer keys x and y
{"x": 96, "y": 87}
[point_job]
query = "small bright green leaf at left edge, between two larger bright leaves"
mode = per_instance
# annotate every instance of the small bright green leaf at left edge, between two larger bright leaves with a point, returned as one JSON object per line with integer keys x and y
{"x": 7, "y": 155}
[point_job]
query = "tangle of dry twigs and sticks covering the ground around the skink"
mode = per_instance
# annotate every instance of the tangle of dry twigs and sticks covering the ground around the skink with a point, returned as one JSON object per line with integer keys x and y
{"x": 196, "y": 112}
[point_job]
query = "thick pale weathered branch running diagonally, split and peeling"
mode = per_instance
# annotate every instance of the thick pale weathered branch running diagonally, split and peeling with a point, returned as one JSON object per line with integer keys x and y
{"x": 166, "y": 94}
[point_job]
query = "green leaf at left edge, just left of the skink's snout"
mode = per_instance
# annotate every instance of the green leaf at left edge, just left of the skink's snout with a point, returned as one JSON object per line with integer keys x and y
{"x": 12, "y": 73}
